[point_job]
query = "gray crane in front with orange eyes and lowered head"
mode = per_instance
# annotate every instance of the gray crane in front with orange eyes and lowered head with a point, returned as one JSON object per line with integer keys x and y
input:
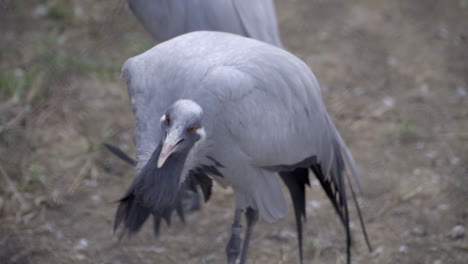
{"x": 241, "y": 111}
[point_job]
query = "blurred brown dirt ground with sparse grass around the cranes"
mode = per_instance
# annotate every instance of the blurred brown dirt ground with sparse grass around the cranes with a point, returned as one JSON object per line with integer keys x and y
{"x": 394, "y": 76}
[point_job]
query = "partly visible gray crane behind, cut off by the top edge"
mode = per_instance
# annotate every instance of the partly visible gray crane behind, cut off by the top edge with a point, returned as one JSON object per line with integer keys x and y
{"x": 166, "y": 19}
